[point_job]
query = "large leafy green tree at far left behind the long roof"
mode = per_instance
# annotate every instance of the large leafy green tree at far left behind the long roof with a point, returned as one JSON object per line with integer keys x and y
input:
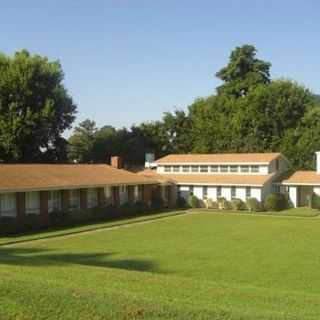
{"x": 35, "y": 109}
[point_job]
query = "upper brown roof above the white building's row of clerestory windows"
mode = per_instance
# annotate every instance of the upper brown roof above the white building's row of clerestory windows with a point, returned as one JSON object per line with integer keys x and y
{"x": 220, "y": 158}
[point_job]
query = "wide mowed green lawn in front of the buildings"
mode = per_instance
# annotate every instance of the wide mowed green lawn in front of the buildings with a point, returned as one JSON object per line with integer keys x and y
{"x": 193, "y": 266}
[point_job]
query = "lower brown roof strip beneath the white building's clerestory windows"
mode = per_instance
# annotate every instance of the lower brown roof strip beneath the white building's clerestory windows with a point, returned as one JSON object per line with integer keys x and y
{"x": 218, "y": 179}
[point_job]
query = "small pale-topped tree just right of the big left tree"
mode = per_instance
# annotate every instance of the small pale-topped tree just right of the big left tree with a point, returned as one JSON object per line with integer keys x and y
{"x": 81, "y": 142}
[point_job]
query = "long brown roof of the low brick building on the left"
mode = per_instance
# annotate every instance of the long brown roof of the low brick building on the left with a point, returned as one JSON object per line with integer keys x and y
{"x": 23, "y": 177}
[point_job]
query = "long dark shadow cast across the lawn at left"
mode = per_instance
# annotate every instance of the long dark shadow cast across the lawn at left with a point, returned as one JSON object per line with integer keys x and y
{"x": 42, "y": 257}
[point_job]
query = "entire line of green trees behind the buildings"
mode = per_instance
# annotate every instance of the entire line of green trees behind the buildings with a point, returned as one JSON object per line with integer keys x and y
{"x": 249, "y": 112}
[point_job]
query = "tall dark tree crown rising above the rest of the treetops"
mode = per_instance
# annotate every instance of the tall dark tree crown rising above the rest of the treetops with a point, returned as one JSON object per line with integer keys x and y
{"x": 243, "y": 72}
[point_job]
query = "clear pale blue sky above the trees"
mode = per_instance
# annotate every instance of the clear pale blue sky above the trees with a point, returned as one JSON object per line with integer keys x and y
{"x": 128, "y": 61}
